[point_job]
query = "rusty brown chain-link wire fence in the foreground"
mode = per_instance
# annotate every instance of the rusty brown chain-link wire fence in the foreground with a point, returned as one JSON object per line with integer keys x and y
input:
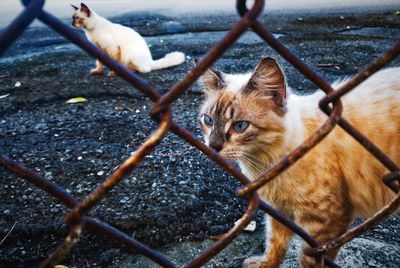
{"x": 161, "y": 113}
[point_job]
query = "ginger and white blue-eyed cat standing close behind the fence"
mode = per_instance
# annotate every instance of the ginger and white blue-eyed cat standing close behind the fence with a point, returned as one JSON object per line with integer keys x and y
{"x": 251, "y": 119}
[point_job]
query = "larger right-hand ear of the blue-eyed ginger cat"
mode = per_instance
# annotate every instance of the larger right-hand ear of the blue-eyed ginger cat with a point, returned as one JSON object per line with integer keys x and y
{"x": 268, "y": 80}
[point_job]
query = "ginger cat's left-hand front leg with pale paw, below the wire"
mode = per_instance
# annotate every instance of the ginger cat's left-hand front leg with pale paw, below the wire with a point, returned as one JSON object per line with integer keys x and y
{"x": 278, "y": 238}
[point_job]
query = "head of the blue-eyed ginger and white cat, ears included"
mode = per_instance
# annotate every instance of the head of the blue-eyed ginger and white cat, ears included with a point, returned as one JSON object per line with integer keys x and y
{"x": 242, "y": 115}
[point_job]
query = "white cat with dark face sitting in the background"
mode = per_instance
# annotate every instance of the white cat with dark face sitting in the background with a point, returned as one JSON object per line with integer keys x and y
{"x": 121, "y": 43}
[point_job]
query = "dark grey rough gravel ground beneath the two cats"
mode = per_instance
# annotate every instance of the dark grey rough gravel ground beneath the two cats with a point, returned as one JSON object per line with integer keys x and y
{"x": 177, "y": 198}
